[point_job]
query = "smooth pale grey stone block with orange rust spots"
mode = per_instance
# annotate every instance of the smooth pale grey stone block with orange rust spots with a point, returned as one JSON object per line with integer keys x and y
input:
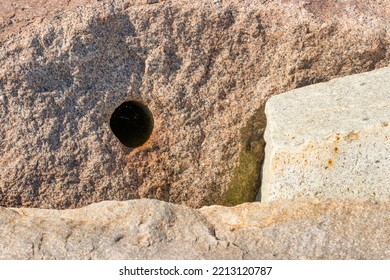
{"x": 330, "y": 140}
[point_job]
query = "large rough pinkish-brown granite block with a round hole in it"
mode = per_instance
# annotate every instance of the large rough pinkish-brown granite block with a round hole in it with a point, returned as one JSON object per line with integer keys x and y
{"x": 204, "y": 69}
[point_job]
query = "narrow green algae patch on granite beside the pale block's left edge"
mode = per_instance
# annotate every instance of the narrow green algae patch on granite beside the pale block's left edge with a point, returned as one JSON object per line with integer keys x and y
{"x": 246, "y": 178}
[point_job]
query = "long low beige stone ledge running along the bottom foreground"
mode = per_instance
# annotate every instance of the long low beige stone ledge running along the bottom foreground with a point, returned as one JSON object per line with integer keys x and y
{"x": 151, "y": 229}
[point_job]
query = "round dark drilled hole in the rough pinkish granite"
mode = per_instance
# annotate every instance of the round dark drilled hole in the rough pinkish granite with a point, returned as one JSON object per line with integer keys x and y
{"x": 132, "y": 123}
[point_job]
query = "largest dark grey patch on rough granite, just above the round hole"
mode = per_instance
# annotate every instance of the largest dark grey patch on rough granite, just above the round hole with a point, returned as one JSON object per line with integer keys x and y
{"x": 102, "y": 56}
